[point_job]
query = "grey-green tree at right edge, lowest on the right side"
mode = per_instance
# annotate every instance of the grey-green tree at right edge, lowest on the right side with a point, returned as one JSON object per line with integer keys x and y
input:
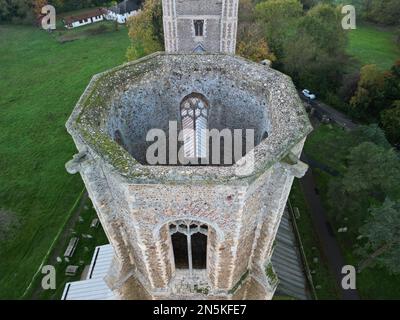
{"x": 382, "y": 234}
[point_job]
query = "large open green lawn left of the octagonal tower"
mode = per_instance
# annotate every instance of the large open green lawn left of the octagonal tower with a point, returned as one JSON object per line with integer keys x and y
{"x": 41, "y": 79}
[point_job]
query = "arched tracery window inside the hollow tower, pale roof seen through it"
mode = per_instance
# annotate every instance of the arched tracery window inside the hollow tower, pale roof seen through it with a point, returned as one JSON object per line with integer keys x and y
{"x": 194, "y": 113}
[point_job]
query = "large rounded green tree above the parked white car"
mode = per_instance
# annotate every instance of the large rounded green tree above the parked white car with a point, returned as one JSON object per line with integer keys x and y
{"x": 314, "y": 53}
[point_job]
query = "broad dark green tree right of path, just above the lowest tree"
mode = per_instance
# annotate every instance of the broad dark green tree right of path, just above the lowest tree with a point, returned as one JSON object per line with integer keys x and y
{"x": 372, "y": 174}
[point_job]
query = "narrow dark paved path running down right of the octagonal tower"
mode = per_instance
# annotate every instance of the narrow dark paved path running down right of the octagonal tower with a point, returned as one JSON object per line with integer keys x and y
{"x": 325, "y": 233}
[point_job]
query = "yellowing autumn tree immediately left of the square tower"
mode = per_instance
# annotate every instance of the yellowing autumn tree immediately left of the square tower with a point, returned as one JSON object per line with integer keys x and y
{"x": 145, "y": 30}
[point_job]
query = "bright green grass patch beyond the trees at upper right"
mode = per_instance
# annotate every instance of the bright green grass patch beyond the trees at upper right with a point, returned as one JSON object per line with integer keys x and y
{"x": 370, "y": 44}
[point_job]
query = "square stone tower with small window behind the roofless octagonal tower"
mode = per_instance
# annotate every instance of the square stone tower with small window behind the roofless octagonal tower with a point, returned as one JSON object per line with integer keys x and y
{"x": 200, "y": 26}
